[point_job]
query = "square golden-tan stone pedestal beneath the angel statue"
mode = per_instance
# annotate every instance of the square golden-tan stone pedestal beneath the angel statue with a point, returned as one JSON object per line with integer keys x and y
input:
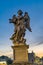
{"x": 20, "y": 54}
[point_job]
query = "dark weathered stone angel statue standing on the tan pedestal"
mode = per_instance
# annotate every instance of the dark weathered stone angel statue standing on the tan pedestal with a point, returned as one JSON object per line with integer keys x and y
{"x": 21, "y": 22}
